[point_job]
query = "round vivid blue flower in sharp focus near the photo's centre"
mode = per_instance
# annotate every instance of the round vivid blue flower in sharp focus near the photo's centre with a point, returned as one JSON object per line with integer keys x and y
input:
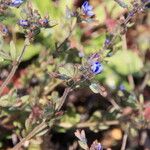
{"x": 96, "y": 67}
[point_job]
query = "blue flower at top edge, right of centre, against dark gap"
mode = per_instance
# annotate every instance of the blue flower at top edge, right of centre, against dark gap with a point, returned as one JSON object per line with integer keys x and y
{"x": 87, "y": 9}
